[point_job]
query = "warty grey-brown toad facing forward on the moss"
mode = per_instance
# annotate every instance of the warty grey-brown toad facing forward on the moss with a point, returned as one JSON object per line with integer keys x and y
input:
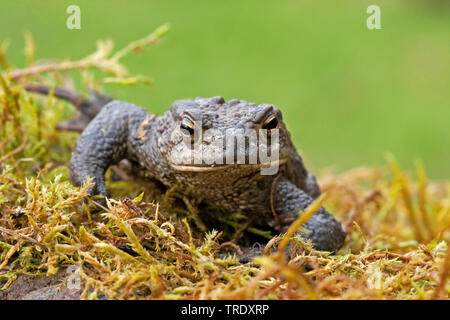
{"x": 197, "y": 145}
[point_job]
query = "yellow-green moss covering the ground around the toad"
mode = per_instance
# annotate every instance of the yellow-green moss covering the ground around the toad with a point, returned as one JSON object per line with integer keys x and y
{"x": 139, "y": 248}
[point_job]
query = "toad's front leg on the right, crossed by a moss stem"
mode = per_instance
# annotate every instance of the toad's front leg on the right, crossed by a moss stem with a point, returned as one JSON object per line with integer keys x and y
{"x": 325, "y": 232}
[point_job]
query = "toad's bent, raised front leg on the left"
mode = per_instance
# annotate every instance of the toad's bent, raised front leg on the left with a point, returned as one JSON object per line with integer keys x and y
{"x": 105, "y": 141}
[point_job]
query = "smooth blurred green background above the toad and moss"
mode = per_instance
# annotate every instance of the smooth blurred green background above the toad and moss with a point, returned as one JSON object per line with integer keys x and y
{"x": 348, "y": 94}
